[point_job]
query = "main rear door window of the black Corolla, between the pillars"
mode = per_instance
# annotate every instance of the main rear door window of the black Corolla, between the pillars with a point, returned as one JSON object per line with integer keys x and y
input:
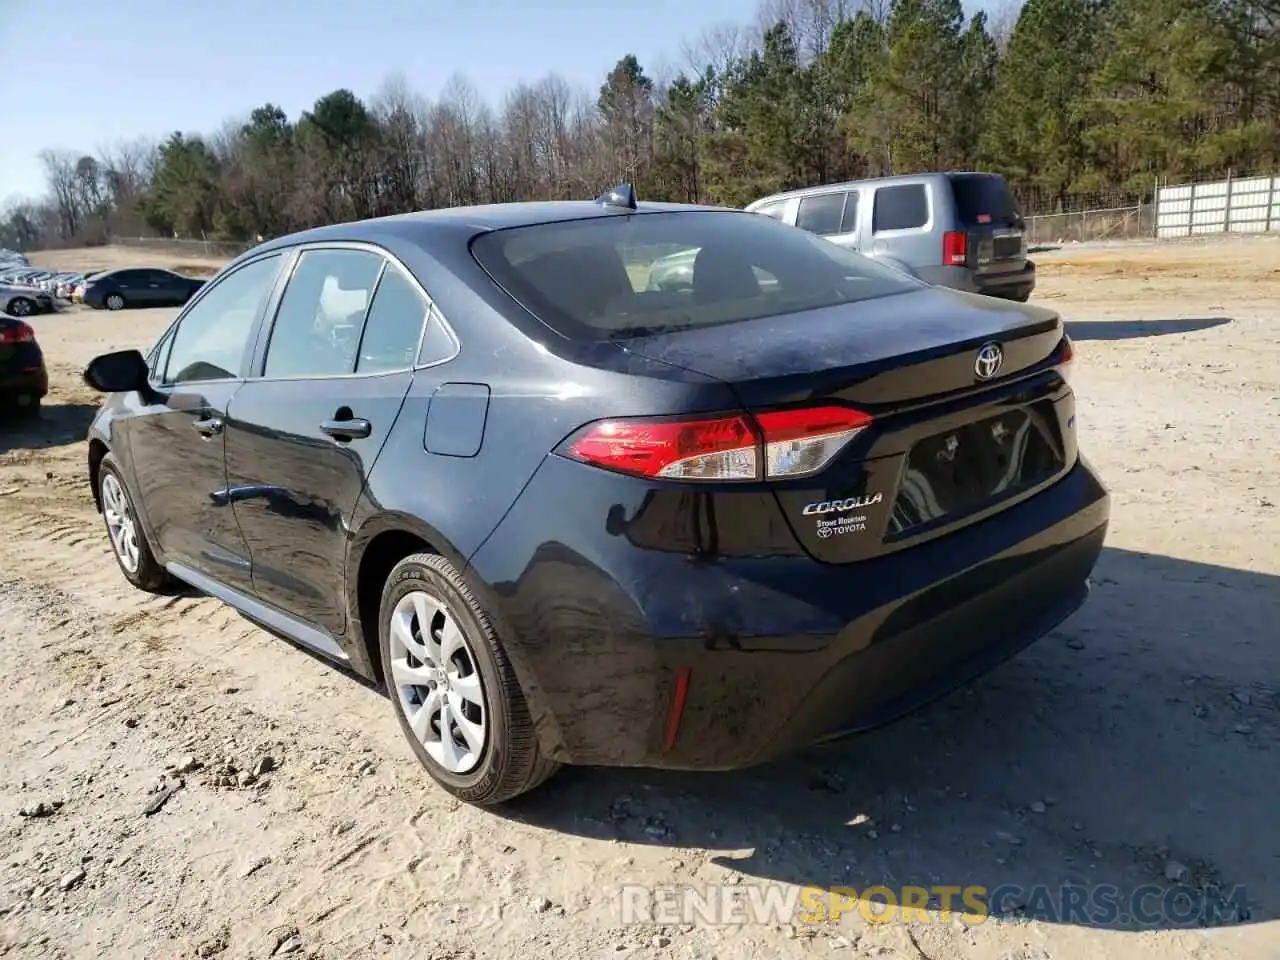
{"x": 317, "y": 330}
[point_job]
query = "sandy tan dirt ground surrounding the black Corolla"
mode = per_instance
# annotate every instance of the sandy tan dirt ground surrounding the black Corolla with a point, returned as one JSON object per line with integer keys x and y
{"x": 1135, "y": 746}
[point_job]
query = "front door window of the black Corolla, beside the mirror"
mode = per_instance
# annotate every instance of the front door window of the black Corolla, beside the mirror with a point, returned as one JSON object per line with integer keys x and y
{"x": 212, "y": 337}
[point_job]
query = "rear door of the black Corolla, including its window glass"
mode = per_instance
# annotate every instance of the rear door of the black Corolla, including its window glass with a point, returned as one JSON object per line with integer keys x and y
{"x": 304, "y": 433}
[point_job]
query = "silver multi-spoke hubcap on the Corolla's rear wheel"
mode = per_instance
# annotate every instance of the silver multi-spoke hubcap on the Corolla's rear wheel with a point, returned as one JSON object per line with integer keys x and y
{"x": 437, "y": 683}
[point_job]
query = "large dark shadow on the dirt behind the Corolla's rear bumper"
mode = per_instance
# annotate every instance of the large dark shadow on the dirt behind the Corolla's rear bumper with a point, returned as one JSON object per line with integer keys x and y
{"x": 1130, "y": 752}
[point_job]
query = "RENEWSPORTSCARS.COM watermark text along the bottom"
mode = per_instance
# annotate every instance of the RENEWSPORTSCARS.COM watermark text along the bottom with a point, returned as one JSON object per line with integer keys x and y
{"x": 1101, "y": 906}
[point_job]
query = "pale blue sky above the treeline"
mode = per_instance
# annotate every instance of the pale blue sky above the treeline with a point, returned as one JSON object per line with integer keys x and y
{"x": 81, "y": 75}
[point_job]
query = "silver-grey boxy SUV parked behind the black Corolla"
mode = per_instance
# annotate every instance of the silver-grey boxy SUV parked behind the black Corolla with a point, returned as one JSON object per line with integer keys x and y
{"x": 952, "y": 230}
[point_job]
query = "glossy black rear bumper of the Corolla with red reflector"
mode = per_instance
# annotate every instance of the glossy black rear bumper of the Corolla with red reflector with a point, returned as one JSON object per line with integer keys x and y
{"x": 776, "y": 652}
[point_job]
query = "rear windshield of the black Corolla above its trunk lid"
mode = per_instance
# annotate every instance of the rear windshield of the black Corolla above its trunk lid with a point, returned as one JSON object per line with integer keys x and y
{"x": 620, "y": 277}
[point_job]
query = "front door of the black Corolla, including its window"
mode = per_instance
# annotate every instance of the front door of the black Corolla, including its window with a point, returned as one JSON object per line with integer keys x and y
{"x": 177, "y": 442}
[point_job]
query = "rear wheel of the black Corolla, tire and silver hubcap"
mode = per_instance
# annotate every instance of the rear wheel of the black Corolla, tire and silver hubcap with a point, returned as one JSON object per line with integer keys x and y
{"x": 455, "y": 692}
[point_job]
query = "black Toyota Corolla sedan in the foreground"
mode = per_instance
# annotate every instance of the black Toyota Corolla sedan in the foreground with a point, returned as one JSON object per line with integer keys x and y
{"x": 568, "y": 518}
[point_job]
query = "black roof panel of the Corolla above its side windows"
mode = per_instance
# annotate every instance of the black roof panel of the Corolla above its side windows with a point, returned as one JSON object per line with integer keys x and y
{"x": 459, "y": 225}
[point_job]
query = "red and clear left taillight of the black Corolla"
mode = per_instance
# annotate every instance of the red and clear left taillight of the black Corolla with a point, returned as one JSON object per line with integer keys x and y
{"x": 778, "y": 445}
